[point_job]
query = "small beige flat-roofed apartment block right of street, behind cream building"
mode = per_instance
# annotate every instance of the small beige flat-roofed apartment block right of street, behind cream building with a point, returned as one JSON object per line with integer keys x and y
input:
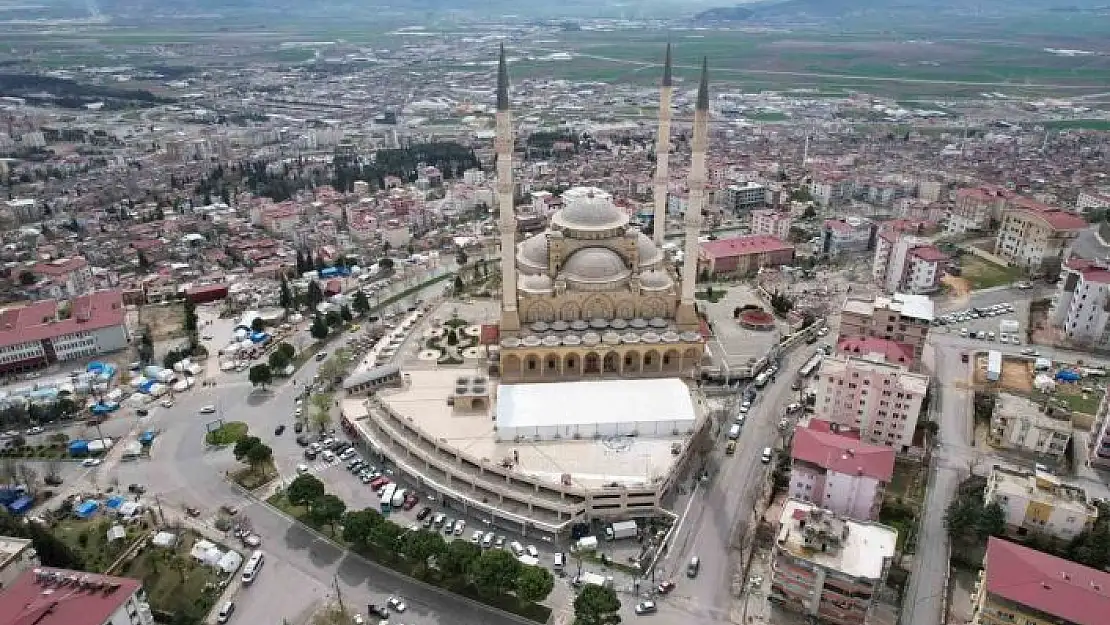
{"x": 1020, "y": 425}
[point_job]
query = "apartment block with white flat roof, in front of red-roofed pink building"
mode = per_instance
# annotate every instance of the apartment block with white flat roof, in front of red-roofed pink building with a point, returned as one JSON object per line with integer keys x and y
{"x": 830, "y": 568}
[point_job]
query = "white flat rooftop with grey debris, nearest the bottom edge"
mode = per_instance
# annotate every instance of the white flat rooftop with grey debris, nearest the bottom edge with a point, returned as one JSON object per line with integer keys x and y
{"x": 862, "y": 550}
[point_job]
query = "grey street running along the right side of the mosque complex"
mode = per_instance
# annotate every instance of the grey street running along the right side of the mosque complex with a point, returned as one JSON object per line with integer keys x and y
{"x": 718, "y": 512}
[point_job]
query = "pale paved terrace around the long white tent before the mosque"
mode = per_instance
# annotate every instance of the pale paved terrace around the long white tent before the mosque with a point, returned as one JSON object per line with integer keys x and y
{"x": 625, "y": 460}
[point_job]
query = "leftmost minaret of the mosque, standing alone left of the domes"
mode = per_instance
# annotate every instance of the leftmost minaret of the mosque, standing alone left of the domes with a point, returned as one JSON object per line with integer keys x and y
{"x": 503, "y": 145}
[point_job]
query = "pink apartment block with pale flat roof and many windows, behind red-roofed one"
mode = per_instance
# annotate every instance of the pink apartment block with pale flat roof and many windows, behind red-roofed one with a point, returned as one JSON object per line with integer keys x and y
{"x": 880, "y": 399}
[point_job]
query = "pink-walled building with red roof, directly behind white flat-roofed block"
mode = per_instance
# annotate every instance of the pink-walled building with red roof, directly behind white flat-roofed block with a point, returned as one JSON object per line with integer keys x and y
{"x": 839, "y": 472}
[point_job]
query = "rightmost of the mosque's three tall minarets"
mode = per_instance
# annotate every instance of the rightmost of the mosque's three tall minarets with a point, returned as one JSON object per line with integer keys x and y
{"x": 688, "y": 315}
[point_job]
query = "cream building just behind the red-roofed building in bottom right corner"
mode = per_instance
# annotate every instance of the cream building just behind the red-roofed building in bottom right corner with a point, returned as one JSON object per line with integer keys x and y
{"x": 1038, "y": 503}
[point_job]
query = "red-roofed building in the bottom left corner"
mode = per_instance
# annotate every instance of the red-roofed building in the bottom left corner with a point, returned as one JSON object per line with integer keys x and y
{"x": 59, "y": 597}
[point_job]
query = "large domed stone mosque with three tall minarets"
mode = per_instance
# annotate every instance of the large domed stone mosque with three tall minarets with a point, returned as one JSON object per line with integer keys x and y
{"x": 592, "y": 297}
